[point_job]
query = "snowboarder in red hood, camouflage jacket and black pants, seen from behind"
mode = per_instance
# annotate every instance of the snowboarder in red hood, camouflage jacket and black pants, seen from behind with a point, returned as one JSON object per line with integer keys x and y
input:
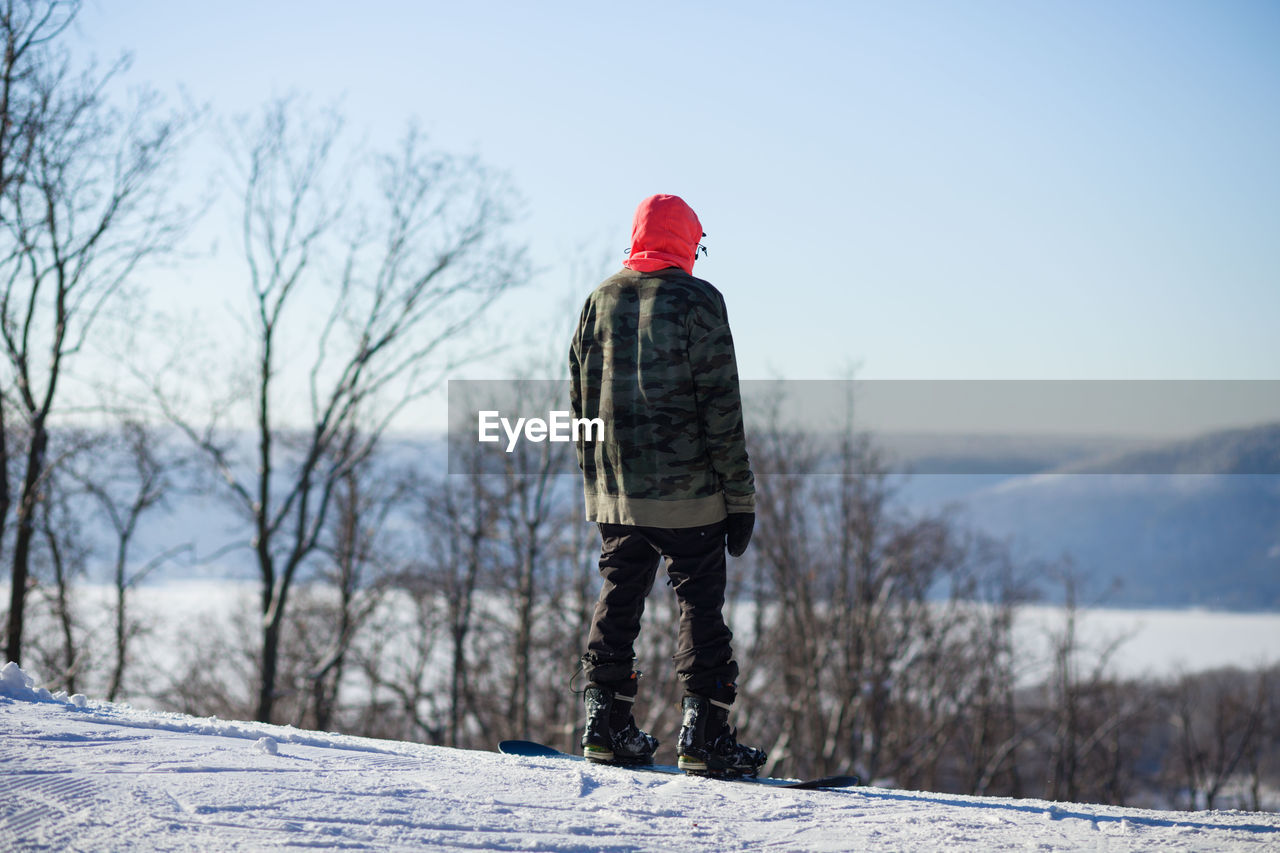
{"x": 653, "y": 358}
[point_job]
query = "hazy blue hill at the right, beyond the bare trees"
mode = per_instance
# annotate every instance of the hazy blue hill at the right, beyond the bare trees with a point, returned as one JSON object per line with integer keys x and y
{"x": 1181, "y": 524}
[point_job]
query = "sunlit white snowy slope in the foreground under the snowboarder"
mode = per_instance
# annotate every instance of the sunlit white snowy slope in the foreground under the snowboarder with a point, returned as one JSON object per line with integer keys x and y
{"x": 95, "y": 777}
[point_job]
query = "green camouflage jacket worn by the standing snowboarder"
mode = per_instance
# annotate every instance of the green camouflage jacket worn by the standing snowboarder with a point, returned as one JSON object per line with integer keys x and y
{"x": 653, "y": 358}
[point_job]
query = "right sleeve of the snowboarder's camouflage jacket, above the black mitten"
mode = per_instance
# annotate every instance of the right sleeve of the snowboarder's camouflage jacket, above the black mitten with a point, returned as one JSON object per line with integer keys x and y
{"x": 720, "y": 407}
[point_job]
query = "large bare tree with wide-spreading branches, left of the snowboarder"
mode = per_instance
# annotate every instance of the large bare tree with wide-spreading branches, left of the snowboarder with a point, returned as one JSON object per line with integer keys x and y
{"x": 410, "y": 276}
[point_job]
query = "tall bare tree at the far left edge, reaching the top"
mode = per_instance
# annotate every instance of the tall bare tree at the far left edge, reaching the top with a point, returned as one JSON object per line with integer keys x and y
{"x": 84, "y": 203}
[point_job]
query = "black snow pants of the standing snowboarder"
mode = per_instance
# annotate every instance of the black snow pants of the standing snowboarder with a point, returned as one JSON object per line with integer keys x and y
{"x": 697, "y": 571}
